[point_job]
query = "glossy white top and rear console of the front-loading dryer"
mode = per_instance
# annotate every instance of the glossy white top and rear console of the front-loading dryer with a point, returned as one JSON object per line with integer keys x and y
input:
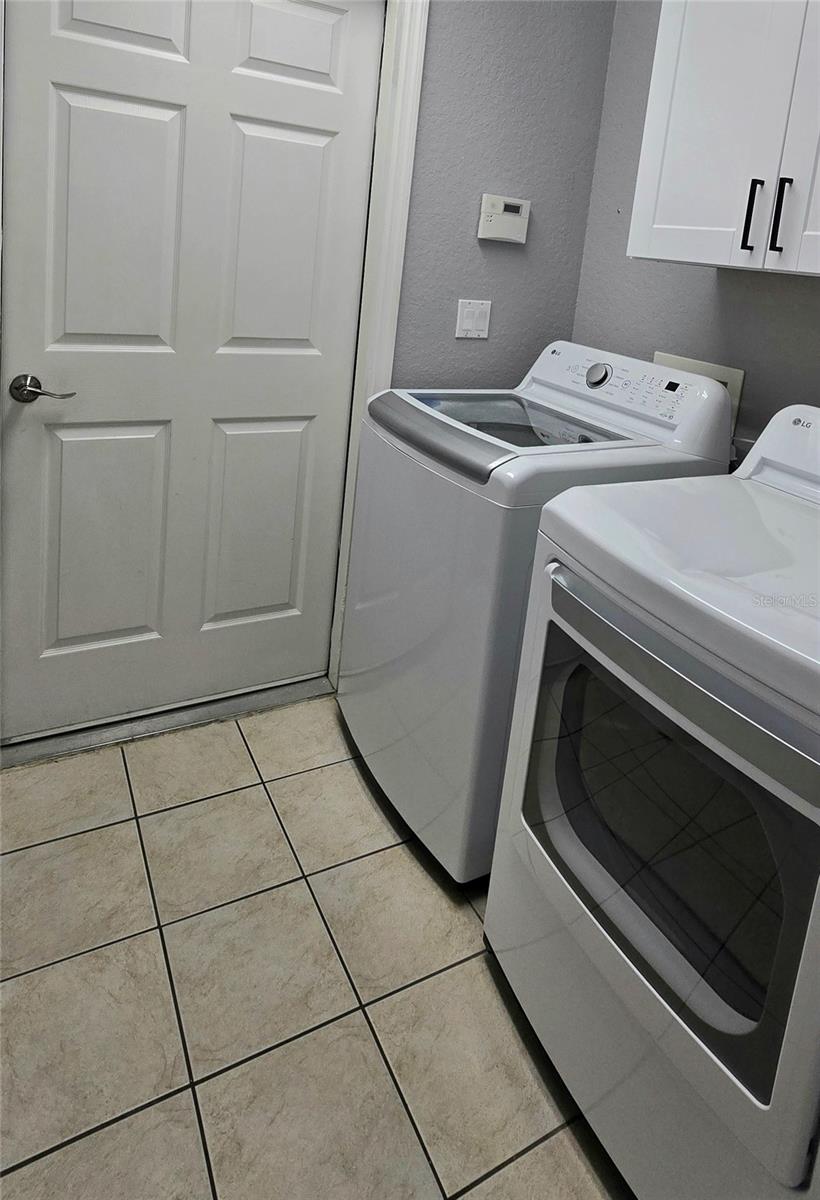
{"x": 733, "y": 563}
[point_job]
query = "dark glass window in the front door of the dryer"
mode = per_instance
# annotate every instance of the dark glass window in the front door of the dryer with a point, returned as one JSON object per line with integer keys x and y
{"x": 703, "y": 879}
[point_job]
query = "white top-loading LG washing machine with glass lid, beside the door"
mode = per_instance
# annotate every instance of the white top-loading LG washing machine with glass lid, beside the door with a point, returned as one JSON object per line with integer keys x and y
{"x": 450, "y": 493}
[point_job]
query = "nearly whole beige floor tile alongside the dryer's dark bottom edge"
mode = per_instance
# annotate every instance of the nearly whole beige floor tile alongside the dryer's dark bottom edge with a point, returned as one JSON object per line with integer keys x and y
{"x": 470, "y": 1083}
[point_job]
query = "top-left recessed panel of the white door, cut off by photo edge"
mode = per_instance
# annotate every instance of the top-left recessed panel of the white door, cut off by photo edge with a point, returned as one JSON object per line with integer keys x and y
{"x": 158, "y": 27}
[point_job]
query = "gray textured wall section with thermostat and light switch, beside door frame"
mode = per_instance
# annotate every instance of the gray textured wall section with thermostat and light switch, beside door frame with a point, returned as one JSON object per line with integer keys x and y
{"x": 511, "y": 104}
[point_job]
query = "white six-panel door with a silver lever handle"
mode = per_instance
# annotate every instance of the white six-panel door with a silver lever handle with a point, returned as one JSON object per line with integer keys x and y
{"x": 185, "y": 201}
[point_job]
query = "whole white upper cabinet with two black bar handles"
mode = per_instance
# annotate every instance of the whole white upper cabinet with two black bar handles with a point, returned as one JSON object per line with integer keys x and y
{"x": 728, "y": 169}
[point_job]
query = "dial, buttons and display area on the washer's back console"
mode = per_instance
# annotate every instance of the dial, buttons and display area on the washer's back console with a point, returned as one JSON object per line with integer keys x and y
{"x": 656, "y": 393}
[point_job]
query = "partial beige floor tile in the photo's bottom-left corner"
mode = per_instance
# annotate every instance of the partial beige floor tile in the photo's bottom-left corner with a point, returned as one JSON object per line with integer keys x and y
{"x": 155, "y": 1155}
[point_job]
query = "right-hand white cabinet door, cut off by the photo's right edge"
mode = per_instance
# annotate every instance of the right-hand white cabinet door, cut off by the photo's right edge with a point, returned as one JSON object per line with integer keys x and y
{"x": 797, "y": 226}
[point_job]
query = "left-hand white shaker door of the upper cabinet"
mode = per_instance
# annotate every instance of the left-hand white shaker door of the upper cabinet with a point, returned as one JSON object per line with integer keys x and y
{"x": 715, "y": 124}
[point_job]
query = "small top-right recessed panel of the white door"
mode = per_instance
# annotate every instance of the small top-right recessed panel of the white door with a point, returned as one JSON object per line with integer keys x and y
{"x": 292, "y": 40}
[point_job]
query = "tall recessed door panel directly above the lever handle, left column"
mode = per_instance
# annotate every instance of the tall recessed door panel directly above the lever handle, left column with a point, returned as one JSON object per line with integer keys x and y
{"x": 115, "y": 220}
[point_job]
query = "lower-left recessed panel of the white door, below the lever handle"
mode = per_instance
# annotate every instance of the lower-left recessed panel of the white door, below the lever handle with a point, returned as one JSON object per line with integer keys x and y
{"x": 107, "y": 519}
